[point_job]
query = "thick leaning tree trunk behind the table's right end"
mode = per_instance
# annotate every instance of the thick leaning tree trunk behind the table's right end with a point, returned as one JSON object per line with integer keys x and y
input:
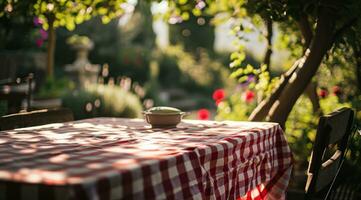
{"x": 301, "y": 78}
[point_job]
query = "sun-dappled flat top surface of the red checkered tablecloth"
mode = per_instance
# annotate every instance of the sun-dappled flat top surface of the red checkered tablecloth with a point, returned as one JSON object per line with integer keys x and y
{"x": 83, "y": 151}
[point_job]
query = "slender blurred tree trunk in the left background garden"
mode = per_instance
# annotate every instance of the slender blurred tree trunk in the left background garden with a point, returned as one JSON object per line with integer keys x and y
{"x": 50, "y": 49}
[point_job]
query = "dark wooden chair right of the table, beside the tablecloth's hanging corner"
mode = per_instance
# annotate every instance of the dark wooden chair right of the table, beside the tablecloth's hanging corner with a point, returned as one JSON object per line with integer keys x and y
{"x": 328, "y": 152}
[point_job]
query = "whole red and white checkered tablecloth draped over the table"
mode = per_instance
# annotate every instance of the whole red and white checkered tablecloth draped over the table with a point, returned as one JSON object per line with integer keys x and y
{"x": 113, "y": 158}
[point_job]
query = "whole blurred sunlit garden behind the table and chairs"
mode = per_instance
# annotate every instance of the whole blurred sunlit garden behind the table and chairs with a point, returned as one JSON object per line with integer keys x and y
{"x": 220, "y": 60}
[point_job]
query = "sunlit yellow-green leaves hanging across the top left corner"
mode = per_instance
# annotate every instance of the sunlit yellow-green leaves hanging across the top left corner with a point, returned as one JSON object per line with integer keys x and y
{"x": 63, "y": 13}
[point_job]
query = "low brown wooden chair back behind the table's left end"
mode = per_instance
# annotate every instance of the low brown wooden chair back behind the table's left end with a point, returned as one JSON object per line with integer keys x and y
{"x": 35, "y": 118}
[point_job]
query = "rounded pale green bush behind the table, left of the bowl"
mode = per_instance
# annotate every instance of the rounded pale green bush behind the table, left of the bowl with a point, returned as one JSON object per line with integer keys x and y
{"x": 103, "y": 101}
